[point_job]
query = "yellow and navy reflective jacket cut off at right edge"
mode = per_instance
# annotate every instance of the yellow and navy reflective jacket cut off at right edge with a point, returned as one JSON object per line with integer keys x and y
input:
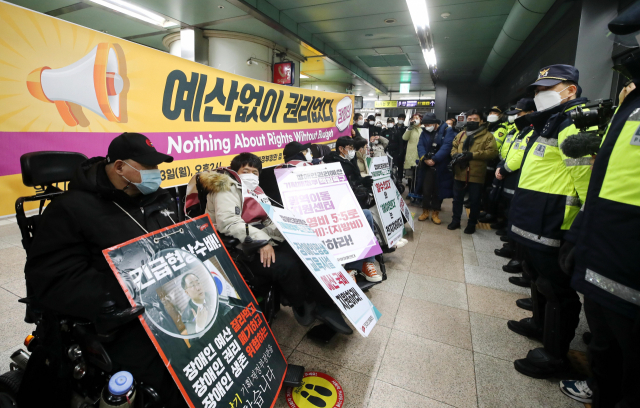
{"x": 607, "y": 251}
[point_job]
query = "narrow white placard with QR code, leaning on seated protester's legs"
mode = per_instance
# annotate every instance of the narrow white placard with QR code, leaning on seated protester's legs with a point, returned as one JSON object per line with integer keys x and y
{"x": 326, "y": 269}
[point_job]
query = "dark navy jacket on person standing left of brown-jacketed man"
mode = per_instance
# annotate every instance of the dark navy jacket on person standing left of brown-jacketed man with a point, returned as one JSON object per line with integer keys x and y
{"x": 443, "y": 140}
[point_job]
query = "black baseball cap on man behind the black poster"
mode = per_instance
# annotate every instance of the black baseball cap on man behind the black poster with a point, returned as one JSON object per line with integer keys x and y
{"x": 134, "y": 146}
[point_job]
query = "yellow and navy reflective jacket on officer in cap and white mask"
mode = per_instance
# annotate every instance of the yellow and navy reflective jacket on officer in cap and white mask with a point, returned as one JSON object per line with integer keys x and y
{"x": 552, "y": 186}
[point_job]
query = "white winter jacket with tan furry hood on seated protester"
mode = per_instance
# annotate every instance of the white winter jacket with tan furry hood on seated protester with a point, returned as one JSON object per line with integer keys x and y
{"x": 224, "y": 206}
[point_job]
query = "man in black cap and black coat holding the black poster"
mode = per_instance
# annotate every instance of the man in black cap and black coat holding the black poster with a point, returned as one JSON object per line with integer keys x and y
{"x": 110, "y": 201}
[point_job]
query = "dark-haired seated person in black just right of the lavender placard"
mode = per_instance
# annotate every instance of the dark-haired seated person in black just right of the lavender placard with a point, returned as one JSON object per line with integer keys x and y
{"x": 361, "y": 186}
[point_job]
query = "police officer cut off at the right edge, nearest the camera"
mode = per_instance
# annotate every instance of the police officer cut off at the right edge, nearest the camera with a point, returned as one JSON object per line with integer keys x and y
{"x": 607, "y": 240}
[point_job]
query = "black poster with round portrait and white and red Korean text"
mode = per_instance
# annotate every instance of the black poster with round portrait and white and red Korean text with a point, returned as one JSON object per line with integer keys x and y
{"x": 200, "y": 315}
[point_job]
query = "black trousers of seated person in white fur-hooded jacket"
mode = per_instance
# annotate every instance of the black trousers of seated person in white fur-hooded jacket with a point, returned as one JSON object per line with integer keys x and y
{"x": 295, "y": 281}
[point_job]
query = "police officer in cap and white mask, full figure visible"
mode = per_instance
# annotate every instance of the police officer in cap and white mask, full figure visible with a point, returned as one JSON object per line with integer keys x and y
{"x": 551, "y": 189}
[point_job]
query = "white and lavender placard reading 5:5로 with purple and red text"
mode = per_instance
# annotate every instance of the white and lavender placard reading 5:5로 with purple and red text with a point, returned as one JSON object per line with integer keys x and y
{"x": 322, "y": 195}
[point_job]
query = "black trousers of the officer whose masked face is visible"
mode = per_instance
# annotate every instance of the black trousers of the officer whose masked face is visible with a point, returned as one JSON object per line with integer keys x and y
{"x": 561, "y": 302}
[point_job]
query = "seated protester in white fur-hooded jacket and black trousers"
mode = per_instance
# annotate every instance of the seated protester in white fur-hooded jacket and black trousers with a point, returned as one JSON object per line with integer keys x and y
{"x": 277, "y": 262}
